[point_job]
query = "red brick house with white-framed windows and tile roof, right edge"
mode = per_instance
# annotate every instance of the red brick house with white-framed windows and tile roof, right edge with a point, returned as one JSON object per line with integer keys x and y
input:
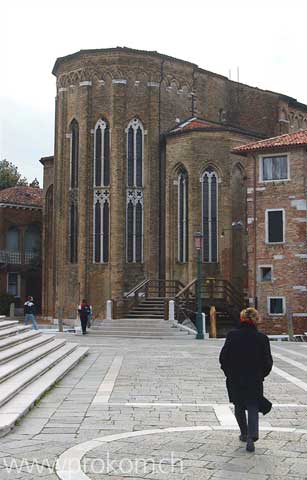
{"x": 277, "y": 230}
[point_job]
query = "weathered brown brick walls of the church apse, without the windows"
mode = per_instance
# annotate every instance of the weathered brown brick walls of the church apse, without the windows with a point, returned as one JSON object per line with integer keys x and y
{"x": 158, "y": 90}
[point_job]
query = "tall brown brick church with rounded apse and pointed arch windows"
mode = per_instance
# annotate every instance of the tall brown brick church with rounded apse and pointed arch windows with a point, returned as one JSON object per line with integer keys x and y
{"x": 145, "y": 156}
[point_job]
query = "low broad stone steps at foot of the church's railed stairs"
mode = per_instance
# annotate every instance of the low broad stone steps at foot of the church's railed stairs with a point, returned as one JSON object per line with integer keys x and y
{"x": 137, "y": 328}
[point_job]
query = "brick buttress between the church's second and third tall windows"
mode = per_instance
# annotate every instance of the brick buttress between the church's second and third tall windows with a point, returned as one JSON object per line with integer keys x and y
{"x": 118, "y": 191}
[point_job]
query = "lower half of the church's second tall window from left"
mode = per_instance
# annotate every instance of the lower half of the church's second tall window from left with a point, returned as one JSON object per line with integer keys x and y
{"x": 101, "y": 227}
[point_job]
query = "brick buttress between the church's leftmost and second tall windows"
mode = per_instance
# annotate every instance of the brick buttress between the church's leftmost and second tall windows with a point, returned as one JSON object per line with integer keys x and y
{"x": 84, "y": 179}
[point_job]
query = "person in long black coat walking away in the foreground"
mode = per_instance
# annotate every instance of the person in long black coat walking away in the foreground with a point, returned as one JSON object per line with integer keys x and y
{"x": 246, "y": 360}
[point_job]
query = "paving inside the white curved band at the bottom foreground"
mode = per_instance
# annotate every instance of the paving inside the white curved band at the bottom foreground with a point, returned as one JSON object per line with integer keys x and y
{"x": 187, "y": 454}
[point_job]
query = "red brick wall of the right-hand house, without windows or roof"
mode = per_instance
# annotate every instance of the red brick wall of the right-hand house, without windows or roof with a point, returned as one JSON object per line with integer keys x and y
{"x": 289, "y": 269}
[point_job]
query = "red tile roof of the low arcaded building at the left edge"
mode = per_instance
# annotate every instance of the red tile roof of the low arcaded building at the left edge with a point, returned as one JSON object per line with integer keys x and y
{"x": 22, "y": 196}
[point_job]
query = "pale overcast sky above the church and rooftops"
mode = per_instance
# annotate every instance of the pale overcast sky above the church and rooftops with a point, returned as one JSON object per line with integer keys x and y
{"x": 268, "y": 41}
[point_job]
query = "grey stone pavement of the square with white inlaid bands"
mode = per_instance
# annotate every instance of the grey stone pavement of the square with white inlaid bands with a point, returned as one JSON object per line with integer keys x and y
{"x": 158, "y": 409}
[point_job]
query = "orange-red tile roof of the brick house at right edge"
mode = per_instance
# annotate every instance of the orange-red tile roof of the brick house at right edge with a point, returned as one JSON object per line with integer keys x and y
{"x": 282, "y": 141}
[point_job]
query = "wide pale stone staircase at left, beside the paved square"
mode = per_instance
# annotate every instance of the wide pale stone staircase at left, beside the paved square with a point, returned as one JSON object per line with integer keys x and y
{"x": 30, "y": 364}
